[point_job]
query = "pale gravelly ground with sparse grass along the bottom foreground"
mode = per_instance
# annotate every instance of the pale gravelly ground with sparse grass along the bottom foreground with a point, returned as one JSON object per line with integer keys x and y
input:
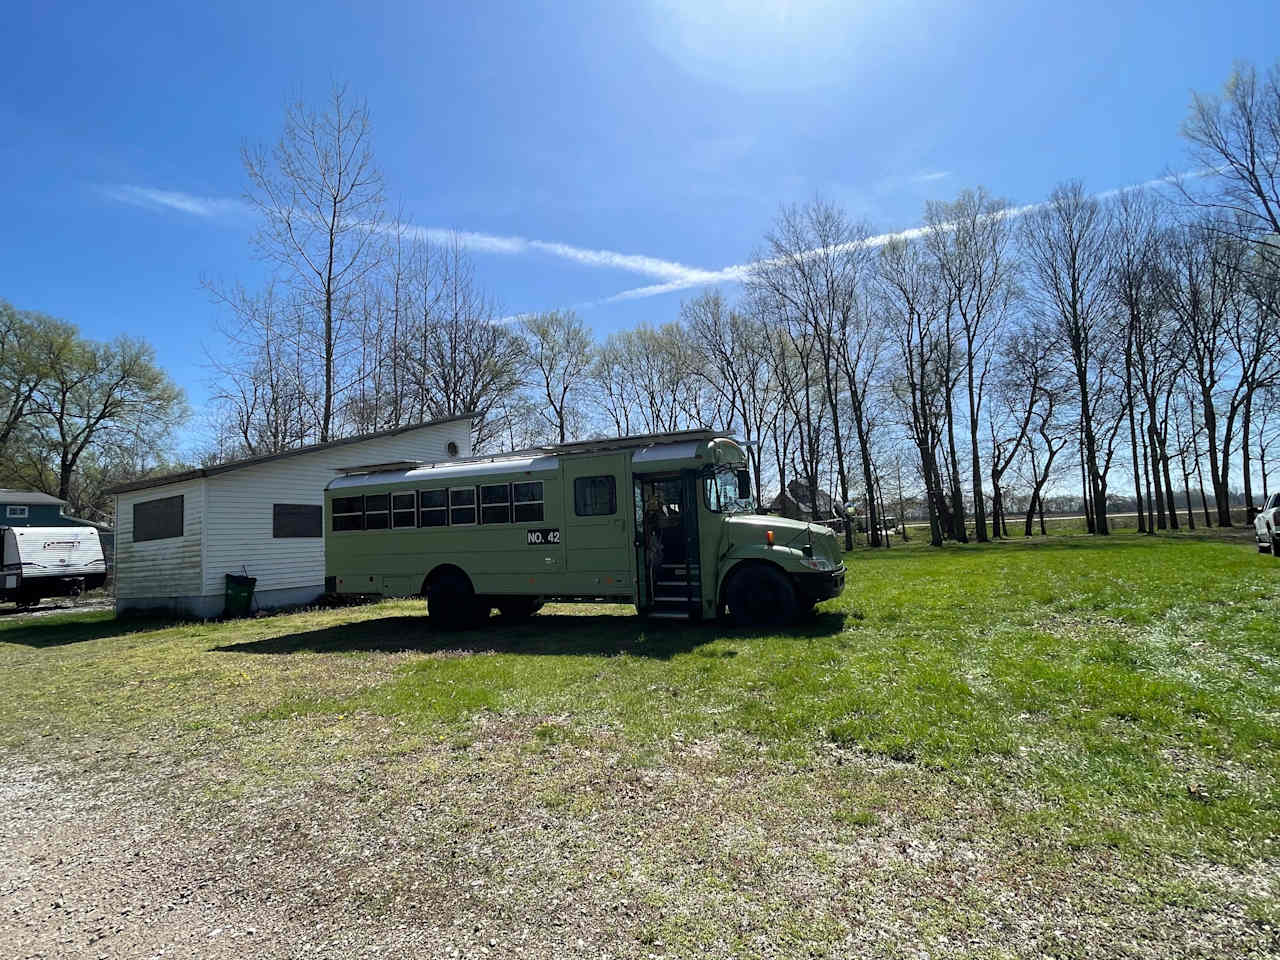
{"x": 513, "y": 847}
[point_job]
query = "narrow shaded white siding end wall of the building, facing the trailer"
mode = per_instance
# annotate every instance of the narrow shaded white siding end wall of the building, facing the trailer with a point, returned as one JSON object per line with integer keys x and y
{"x": 167, "y": 568}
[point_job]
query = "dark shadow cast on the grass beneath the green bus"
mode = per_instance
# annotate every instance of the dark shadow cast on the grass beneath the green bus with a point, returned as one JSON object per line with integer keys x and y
{"x": 546, "y": 636}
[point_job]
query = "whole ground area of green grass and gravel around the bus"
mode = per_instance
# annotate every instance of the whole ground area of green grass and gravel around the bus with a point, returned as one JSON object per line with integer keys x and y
{"x": 1064, "y": 747}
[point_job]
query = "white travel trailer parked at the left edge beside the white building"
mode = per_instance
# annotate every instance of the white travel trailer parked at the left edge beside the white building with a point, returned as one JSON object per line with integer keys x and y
{"x": 49, "y": 561}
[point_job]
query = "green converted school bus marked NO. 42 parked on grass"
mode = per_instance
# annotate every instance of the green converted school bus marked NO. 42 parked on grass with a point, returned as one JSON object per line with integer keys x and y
{"x": 664, "y": 522}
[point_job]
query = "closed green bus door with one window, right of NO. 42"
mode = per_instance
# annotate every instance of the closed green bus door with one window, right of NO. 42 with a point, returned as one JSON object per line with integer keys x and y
{"x": 600, "y": 527}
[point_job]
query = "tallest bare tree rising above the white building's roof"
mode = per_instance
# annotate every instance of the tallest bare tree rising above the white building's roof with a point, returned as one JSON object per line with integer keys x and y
{"x": 321, "y": 198}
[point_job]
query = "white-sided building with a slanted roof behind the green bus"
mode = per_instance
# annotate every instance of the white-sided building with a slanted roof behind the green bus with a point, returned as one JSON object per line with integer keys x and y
{"x": 179, "y": 536}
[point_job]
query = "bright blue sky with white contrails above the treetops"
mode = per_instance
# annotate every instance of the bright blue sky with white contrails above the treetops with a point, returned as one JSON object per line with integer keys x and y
{"x": 668, "y": 131}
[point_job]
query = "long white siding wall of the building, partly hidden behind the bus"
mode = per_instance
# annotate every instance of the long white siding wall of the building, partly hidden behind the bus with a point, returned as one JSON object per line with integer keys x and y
{"x": 239, "y": 516}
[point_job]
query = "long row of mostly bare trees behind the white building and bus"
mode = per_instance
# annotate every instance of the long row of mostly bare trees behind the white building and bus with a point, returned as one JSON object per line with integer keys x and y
{"x": 1122, "y": 345}
